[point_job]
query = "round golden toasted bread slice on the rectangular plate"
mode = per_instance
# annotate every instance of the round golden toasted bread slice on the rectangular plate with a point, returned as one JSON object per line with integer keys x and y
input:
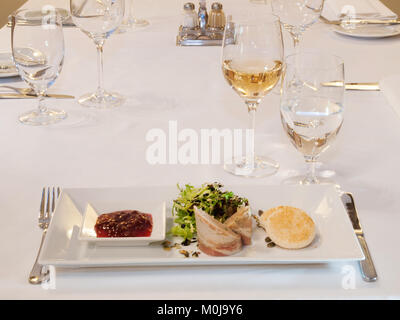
{"x": 289, "y": 227}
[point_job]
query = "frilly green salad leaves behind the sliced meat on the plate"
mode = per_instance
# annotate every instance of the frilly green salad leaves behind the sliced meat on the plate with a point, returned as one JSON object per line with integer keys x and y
{"x": 210, "y": 198}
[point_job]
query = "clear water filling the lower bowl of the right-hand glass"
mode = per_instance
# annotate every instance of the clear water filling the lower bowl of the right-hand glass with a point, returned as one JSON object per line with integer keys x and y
{"x": 311, "y": 123}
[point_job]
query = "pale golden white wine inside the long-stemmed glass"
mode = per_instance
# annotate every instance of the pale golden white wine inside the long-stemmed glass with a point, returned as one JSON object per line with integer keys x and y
{"x": 252, "y": 79}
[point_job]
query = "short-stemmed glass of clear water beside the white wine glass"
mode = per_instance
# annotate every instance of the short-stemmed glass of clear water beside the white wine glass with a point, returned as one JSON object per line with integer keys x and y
{"x": 312, "y": 106}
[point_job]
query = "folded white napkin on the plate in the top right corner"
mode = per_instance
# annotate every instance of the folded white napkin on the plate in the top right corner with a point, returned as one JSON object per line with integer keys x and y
{"x": 355, "y": 8}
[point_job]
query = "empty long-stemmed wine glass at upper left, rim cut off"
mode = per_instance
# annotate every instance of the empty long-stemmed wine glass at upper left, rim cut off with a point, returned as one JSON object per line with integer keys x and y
{"x": 98, "y": 19}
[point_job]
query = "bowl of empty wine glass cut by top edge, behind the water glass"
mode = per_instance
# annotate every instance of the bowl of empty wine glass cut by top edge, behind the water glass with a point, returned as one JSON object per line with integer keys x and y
{"x": 297, "y": 15}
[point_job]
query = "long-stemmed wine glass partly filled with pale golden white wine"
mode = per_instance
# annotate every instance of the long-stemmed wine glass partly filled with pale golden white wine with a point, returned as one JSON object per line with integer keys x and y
{"x": 252, "y": 63}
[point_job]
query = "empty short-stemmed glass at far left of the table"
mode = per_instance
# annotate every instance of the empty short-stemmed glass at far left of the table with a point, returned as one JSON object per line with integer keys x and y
{"x": 37, "y": 44}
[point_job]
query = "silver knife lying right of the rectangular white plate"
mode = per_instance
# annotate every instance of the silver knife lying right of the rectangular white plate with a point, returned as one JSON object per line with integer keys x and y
{"x": 367, "y": 267}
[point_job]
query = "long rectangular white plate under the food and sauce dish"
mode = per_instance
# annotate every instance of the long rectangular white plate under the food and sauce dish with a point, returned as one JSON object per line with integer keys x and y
{"x": 335, "y": 240}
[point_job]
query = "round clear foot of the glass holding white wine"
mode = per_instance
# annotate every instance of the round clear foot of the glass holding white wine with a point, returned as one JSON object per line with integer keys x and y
{"x": 263, "y": 167}
